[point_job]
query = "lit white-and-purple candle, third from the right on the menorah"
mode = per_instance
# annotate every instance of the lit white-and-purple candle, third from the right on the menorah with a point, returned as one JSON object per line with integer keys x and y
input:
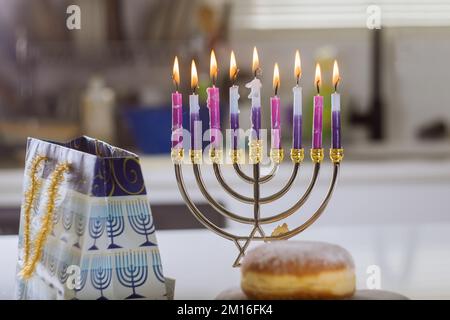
{"x": 297, "y": 109}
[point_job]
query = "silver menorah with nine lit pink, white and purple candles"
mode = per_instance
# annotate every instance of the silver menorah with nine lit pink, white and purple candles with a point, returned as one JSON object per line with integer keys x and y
{"x": 255, "y": 152}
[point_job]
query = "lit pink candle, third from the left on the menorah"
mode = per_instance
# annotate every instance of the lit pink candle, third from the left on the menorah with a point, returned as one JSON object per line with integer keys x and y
{"x": 213, "y": 105}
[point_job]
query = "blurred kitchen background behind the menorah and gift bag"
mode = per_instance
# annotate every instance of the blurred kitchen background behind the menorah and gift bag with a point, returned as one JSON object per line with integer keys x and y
{"x": 112, "y": 80}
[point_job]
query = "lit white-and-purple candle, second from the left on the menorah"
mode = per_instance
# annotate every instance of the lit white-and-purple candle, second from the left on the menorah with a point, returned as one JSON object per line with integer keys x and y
{"x": 194, "y": 111}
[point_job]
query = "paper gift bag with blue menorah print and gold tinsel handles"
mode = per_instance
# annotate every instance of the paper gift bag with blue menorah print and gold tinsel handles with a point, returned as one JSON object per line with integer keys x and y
{"x": 86, "y": 229}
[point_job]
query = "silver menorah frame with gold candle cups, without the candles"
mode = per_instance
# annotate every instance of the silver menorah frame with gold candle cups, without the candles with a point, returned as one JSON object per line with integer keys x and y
{"x": 256, "y": 179}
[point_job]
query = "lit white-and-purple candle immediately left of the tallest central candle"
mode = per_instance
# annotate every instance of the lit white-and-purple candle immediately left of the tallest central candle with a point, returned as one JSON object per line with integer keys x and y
{"x": 234, "y": 106}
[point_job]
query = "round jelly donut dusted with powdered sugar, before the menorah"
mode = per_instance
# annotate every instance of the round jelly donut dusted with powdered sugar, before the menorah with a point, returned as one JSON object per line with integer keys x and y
{"x": 298, "y": 270}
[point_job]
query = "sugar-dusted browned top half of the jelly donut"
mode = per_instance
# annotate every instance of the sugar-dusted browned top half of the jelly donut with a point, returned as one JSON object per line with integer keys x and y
{"x": 281, "y": 256}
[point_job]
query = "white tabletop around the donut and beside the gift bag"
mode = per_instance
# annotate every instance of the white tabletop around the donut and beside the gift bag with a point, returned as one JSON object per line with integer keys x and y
{"x": 414, "y": 259}
